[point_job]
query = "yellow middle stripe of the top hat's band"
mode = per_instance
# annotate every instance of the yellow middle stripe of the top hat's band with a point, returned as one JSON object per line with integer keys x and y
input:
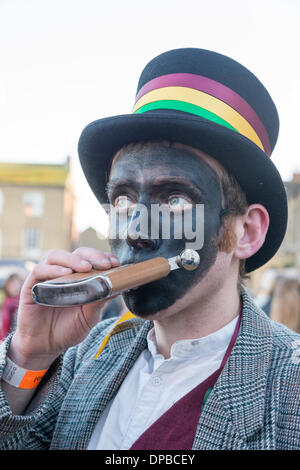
{"x": 206, "y": 101}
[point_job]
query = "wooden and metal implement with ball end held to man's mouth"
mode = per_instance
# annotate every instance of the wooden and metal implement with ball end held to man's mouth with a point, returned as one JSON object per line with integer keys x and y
{"x": 84, "y": 288}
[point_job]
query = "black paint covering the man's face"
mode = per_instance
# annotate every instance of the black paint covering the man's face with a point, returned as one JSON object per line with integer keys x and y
{"x": 150, "y": 175}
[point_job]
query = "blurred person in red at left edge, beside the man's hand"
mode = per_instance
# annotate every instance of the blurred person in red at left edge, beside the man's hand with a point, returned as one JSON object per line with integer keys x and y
{"x": 12, "y": 289}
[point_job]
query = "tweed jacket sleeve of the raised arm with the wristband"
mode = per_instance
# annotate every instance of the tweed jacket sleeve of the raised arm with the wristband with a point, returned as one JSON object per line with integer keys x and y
{"x": 34, "y": 429}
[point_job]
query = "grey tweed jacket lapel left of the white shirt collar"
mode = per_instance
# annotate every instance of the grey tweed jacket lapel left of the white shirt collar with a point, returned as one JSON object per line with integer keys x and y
{"x": 96, "y": 383}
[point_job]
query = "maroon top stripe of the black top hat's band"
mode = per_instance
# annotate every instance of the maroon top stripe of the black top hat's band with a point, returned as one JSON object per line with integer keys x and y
{"x": 216, "y": 89}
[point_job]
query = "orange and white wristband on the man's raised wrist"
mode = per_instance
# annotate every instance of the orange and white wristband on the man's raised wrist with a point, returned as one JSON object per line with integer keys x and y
{"x": 21, "y": 378}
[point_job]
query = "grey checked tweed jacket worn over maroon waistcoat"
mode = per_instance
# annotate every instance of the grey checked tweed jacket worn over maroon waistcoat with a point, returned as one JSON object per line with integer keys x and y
{"x": 255, "y": 403}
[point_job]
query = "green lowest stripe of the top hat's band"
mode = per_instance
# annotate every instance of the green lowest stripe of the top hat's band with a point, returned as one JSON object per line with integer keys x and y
{"x": 187, "y": 108}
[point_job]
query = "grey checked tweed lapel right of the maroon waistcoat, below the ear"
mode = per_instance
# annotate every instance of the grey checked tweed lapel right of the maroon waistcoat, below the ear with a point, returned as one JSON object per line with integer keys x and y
{"x": 234, "y": 410}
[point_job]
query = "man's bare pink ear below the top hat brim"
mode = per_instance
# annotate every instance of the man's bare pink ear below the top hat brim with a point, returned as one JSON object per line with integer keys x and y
{"x": 251, "y": 230}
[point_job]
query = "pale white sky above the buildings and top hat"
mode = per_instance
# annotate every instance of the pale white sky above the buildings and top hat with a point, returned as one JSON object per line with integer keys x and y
{"x": 65, "y": 63}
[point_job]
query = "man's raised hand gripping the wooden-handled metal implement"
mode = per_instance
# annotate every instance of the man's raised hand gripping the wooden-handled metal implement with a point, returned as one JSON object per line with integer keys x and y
{"x": 43, "y": 333}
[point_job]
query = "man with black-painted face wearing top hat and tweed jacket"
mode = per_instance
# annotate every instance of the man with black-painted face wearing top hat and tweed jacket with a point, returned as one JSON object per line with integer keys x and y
{"x": 193, "y": 364}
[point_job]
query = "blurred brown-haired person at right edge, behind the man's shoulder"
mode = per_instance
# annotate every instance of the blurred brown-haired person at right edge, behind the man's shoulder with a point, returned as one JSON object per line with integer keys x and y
{"x": 285, "y": 306}
